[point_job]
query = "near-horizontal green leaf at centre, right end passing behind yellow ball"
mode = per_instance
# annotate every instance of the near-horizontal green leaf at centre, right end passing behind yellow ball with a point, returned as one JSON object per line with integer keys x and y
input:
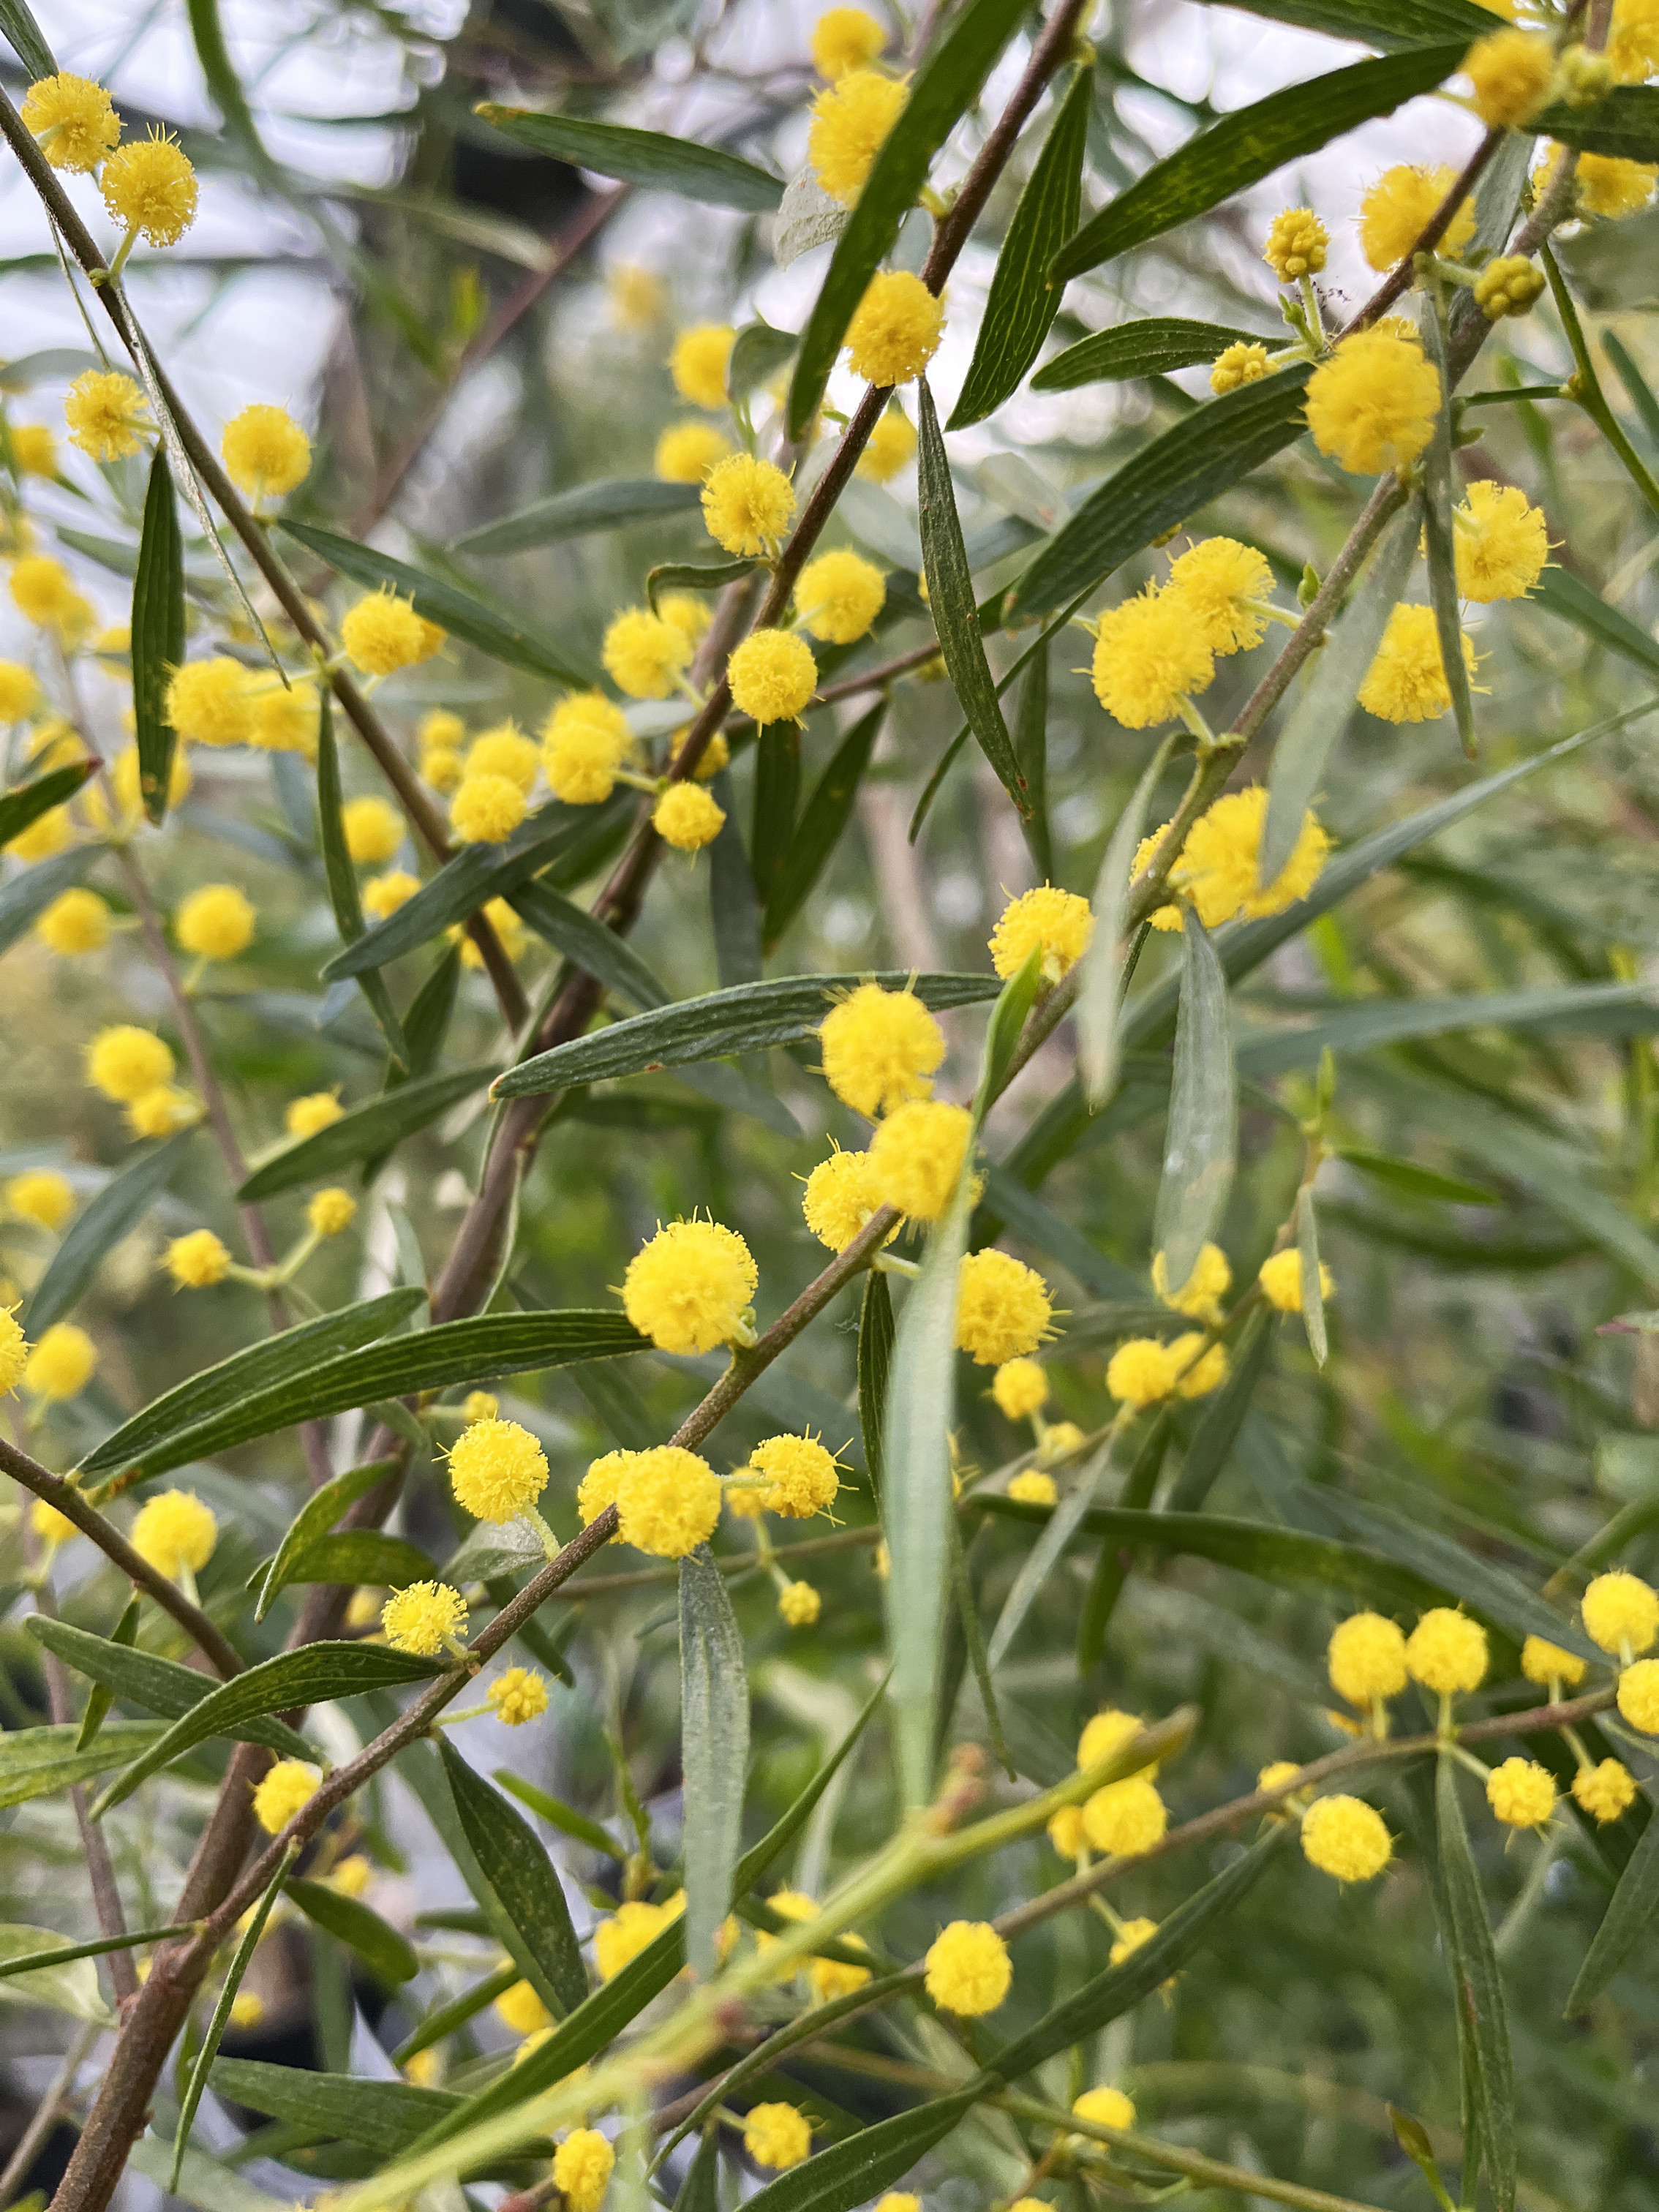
{"x": 724, "y": 1023}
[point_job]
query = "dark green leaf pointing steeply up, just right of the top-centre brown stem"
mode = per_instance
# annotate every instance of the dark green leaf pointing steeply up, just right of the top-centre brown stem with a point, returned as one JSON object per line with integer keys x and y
{"x": 1023, "y": 302}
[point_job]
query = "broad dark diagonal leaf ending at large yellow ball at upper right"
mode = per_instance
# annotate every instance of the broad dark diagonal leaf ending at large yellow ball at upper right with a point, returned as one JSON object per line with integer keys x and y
{"x": 1165, "y": 486}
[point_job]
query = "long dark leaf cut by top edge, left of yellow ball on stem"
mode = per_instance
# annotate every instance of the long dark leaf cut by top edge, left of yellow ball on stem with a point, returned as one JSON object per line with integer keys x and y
{"x": 948, "y": 83}
